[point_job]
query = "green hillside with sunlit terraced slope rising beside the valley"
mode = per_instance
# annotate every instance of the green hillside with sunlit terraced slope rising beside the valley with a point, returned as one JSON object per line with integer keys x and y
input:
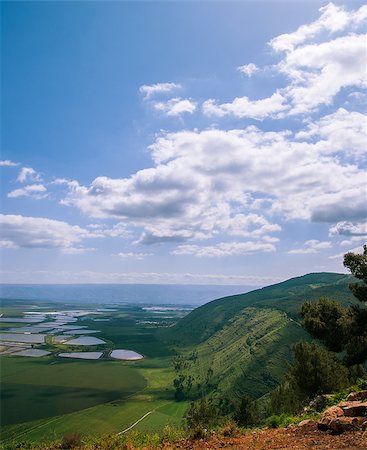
{"x": 242, "y": 344}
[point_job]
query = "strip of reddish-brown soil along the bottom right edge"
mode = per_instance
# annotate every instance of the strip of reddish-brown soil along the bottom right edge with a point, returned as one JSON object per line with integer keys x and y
{"x": 282, "y": 438}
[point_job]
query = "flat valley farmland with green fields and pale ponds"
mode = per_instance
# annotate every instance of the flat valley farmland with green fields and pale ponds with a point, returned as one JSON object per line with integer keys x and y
{"x": 47, "y": 397}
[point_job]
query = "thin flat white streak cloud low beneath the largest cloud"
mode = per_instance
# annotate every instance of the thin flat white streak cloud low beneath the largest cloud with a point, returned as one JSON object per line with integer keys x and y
{"x": 224, "y": 249}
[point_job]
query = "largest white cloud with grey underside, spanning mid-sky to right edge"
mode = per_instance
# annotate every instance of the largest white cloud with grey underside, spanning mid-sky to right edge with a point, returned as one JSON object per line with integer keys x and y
{"x": 208, "y": 182}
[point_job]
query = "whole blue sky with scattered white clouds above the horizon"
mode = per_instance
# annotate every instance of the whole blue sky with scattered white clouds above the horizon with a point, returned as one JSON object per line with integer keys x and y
{"x": 181, "y": 142}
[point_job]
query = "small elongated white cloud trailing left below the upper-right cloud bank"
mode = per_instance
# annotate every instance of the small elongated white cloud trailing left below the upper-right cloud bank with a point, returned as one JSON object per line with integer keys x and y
{"x": 244, "y": 107}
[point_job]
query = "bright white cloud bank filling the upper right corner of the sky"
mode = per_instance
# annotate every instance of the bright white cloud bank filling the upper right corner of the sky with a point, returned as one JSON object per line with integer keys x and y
{"x": 318, "y": 61}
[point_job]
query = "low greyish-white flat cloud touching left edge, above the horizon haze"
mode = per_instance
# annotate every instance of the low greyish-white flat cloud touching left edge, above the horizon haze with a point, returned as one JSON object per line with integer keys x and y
{"x": 38, "y": 232}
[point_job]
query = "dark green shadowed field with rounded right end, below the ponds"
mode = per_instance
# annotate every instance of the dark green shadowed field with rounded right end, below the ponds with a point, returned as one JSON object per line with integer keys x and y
{"x": 59, "y": 386}
